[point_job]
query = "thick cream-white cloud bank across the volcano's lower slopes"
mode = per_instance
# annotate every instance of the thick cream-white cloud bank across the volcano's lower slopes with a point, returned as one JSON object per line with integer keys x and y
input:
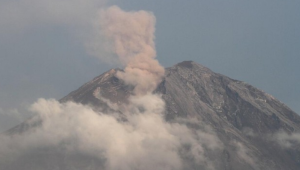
{"x": 144, "y": 141}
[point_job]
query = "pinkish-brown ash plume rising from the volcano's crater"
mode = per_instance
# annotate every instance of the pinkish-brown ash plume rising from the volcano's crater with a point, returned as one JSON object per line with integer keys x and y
{"x": 130, "y": 36}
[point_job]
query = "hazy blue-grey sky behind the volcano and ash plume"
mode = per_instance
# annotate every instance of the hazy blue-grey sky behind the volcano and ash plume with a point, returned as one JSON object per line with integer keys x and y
{"x": 43, "y": 54}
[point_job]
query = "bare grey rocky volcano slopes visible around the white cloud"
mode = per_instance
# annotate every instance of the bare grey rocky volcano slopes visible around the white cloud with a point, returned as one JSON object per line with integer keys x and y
{"x": 237, "y": 111}
